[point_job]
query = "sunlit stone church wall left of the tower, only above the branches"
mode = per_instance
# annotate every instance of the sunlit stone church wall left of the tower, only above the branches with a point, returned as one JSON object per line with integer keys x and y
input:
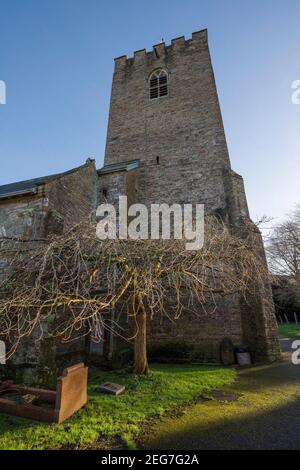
{"x": 60, "y": 202}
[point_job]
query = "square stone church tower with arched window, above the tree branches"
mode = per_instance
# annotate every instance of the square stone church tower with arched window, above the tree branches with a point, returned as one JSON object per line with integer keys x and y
{"x": 165, "y": 114}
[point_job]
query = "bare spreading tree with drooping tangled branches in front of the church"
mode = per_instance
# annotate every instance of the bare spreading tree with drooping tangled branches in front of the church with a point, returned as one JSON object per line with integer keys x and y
{"x": 63, "y": 286}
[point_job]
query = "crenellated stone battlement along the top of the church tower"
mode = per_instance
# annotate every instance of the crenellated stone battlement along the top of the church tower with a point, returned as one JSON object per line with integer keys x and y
{"x": 160, "y": 50}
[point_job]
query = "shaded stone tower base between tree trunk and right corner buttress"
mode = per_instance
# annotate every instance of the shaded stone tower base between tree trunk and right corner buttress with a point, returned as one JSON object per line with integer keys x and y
{"x": 196, "y": 336}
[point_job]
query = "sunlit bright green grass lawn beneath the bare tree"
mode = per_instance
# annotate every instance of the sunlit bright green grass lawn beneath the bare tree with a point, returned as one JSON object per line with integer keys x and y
{"x": 166, "y": 387}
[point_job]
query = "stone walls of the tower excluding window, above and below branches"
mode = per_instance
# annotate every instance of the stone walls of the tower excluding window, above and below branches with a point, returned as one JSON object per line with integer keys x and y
{"x": 180, "y": 142}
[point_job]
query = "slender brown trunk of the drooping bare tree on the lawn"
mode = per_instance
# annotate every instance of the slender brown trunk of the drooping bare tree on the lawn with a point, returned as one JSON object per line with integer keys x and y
{"x": 140, "y": 342}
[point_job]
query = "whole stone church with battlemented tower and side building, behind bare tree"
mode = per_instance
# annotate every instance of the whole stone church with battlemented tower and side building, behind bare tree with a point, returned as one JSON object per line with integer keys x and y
{"x": 165, "y": 144}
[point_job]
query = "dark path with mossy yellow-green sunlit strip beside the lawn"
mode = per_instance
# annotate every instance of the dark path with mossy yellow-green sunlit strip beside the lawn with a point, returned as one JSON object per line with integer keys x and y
{"x": 266, "y": 415}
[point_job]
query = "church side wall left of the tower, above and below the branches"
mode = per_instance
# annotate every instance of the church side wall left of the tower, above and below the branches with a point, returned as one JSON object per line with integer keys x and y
{"x": 59, "y": 204}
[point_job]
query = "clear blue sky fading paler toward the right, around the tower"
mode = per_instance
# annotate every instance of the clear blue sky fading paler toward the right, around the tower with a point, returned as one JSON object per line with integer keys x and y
{"x": 56, "y": 57}
